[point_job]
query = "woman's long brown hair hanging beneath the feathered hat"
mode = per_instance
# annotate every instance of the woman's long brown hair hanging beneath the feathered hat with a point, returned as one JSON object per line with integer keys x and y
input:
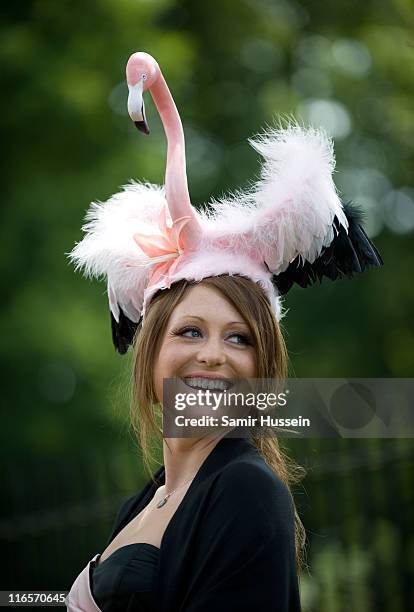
{"x": 271, "y": 362}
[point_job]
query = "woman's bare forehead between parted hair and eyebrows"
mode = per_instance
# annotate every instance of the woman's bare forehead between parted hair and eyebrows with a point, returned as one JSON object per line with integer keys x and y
{"x": 207, "y": 303}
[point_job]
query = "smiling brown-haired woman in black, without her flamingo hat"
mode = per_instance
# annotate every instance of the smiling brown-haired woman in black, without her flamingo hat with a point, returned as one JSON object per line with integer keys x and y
{"x": 225, "y": 539}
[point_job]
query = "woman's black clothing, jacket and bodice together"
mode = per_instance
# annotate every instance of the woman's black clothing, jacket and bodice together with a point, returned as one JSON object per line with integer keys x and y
{"x": 230, "y": 544}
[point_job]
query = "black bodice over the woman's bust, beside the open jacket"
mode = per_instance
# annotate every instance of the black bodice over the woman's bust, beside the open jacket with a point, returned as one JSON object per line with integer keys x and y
{"x": 125, "y": 580}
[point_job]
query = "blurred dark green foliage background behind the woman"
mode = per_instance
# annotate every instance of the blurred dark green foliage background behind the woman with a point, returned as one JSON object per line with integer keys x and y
{"x": 66, "y": 454}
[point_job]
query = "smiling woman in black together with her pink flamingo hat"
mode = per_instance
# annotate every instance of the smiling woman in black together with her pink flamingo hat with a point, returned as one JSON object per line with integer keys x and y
{"x": 198, "y": 294}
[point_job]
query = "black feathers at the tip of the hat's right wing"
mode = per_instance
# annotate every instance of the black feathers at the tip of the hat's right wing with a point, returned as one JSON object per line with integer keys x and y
{"x": 350, "y": 252}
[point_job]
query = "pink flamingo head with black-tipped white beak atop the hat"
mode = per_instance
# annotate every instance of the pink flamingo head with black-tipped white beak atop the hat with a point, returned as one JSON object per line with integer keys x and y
{"x": 142, "y": 71}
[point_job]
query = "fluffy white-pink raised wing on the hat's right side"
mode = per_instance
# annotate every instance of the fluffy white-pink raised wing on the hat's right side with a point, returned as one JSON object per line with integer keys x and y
{"x": 291, "y": 209}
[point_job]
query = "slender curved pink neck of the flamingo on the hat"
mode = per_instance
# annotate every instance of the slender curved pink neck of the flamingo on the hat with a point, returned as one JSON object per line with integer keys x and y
{"x": 176, "y": 186}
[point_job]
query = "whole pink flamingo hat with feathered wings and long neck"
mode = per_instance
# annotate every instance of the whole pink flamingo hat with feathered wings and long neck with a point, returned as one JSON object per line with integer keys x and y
{"x": 290, "y": 227}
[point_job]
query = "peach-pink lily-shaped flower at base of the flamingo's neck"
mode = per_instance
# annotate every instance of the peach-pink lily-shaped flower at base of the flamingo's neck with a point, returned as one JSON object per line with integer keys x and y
{"x": 165, "y": 248}
